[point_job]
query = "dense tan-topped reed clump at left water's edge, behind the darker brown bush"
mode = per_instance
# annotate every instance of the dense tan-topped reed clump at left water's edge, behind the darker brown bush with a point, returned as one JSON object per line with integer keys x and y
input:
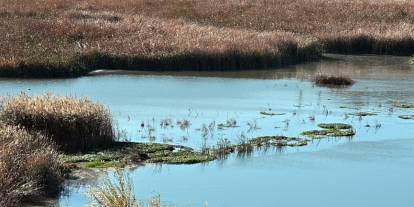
{"x": 75, "y": 125}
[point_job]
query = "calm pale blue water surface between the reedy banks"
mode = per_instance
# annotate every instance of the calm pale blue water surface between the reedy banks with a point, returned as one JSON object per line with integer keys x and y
{"x": 374, "y": 168}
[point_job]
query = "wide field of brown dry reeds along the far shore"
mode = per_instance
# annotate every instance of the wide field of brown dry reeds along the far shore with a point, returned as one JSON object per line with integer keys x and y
{"x": 61, "y": 38}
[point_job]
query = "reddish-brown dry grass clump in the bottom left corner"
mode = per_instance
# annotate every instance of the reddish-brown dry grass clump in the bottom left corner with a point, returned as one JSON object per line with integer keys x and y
{"x": 28, "y": 166}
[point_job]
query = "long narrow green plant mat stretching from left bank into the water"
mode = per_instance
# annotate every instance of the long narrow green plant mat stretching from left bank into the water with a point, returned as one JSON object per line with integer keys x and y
{"x": 122, "y": 154}
